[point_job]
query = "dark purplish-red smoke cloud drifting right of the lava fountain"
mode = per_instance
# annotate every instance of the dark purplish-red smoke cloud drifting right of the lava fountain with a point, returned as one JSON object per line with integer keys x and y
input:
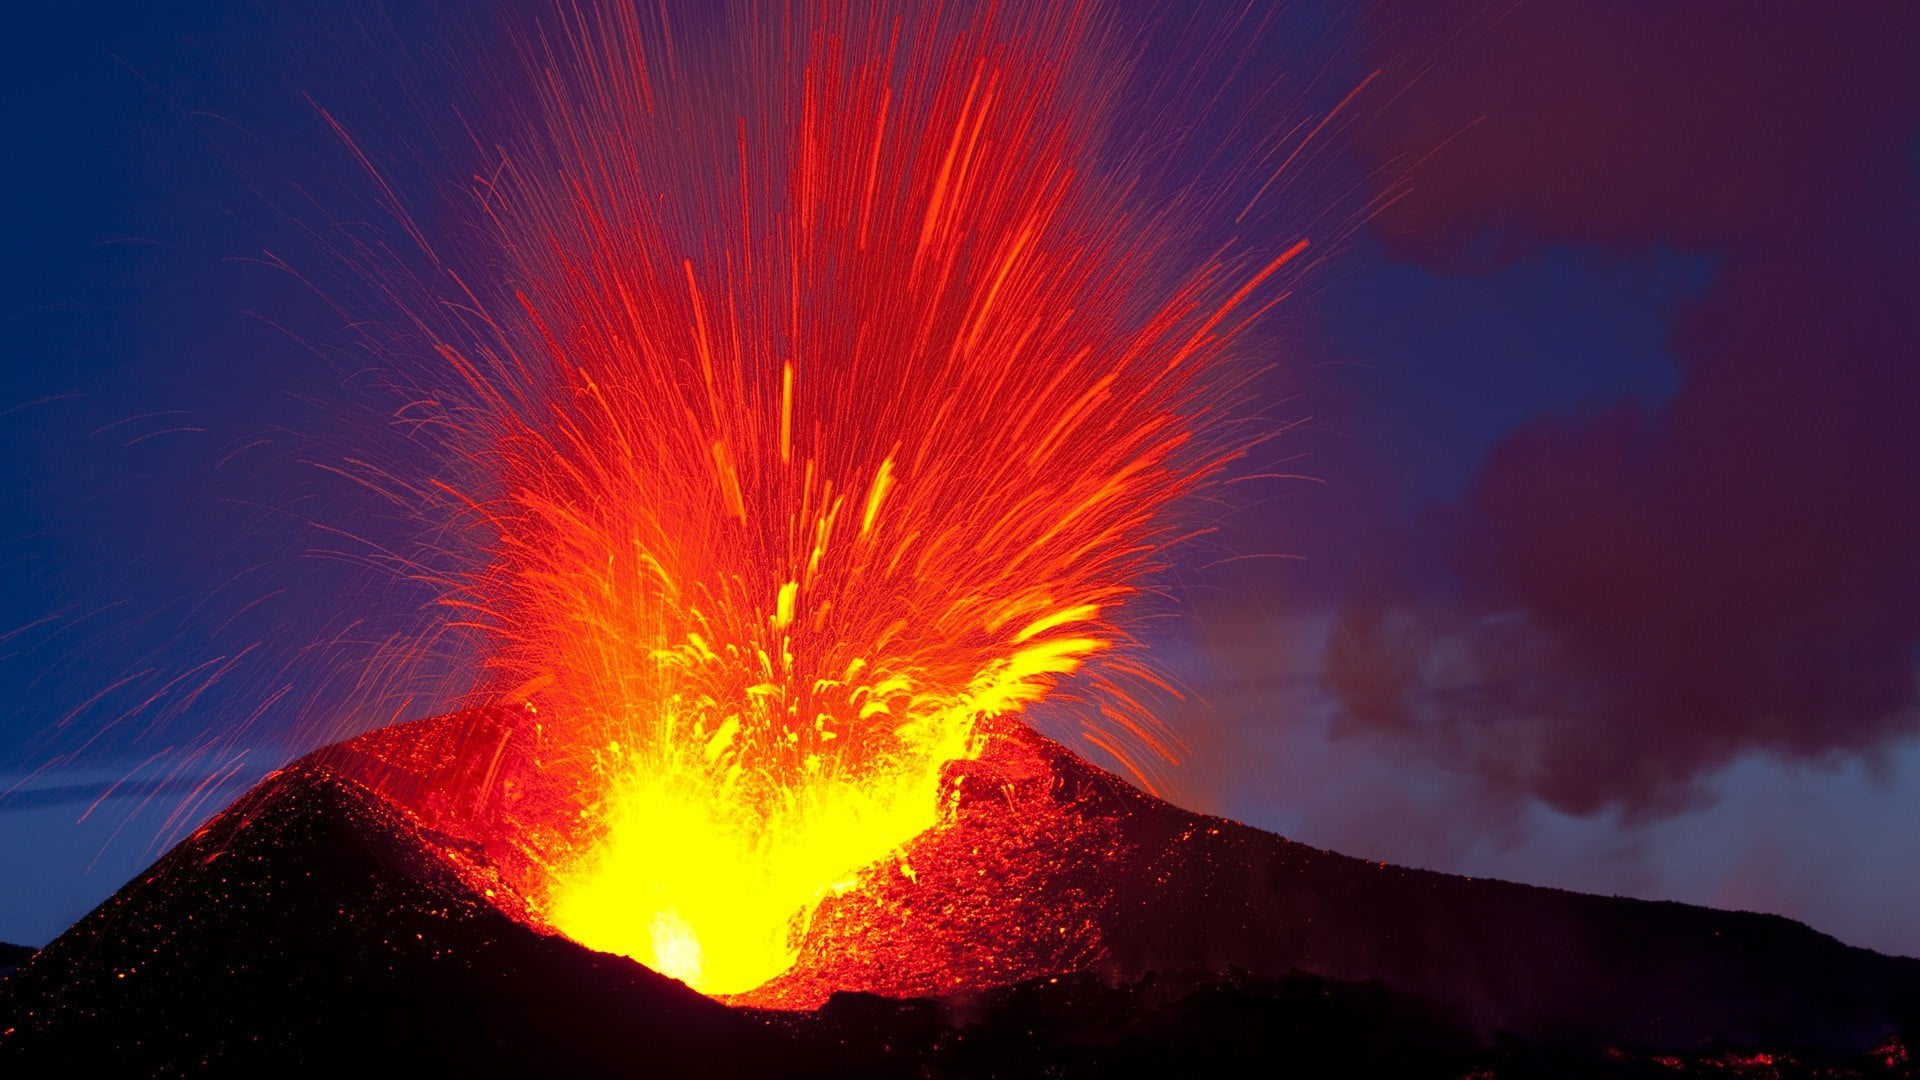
{"x": 1635, "y": 597}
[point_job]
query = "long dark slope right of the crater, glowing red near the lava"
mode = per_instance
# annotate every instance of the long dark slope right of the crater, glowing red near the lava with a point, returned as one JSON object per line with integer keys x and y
{"x": 1084, "y": 871}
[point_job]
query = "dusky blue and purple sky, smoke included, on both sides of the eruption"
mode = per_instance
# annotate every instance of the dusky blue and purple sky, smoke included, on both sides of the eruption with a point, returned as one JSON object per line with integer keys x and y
{"x": 1606, "y": 574}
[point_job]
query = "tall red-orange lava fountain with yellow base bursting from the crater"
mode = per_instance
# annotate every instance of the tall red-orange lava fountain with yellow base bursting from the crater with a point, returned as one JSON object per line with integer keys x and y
{"x": 830, "y": 401}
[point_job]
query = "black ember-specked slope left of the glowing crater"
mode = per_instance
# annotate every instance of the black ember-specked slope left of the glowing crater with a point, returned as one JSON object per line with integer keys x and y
{"x": 314, "y": 929}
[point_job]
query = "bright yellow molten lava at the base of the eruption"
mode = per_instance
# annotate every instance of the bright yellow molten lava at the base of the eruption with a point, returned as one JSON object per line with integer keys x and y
{"x": 709, "y": 875}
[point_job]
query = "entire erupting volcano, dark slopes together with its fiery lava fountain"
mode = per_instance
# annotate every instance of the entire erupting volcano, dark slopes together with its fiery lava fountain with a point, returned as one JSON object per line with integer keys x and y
{"x": 819, "y": 397}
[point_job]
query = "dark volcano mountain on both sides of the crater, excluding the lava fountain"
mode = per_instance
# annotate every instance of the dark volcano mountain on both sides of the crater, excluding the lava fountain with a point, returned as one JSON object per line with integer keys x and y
{"x": 350, "y": 912}
